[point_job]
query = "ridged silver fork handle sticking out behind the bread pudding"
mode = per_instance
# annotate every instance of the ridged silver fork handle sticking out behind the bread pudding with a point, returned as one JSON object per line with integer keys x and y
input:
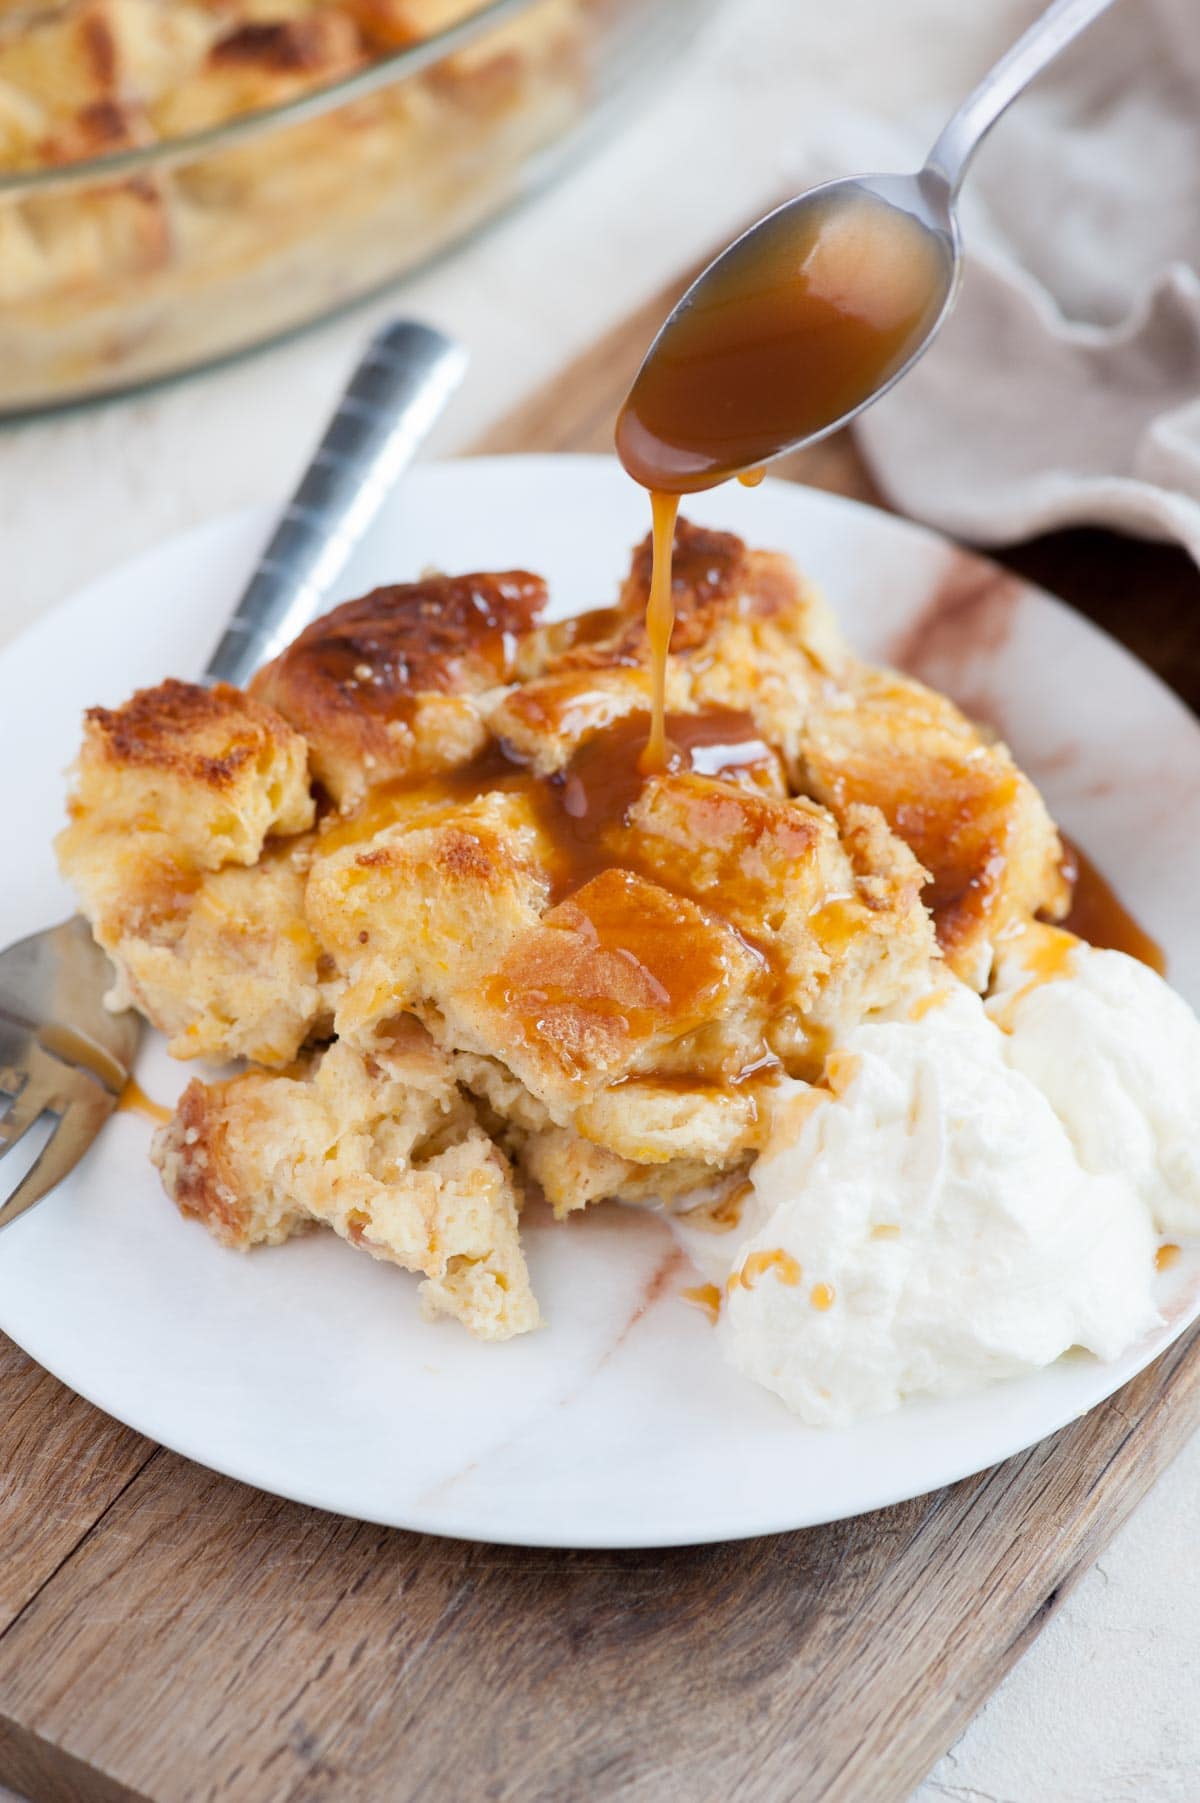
{"x": 394, "y": 399}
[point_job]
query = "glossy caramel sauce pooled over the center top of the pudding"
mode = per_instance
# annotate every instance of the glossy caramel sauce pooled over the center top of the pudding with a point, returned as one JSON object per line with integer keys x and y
{"x": 628, "y": 942}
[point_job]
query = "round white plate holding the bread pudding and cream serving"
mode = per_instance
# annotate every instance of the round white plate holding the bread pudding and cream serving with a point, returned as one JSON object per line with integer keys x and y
{"x": 307, "y": 1369}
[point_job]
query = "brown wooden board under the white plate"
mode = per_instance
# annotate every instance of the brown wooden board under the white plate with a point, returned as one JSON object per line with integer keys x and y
{"x": 172, "y": 1636}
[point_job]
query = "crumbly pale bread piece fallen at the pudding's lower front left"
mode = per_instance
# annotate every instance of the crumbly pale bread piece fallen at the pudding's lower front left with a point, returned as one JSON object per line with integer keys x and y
{"x": 385, "y": 1149}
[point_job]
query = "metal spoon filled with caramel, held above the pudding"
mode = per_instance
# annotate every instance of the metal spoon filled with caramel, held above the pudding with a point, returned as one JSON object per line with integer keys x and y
{"x": 750, "y": 363}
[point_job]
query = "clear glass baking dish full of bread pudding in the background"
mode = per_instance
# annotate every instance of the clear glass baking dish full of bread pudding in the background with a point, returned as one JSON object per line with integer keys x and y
{"x": 140, "y": 241}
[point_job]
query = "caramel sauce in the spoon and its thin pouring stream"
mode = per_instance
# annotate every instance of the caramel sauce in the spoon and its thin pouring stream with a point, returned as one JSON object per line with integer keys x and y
{"x": 776, "y": 347}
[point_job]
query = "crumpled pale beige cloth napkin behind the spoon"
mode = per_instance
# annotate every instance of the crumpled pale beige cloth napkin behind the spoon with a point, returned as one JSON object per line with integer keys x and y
{"x": 1066, "y": 389}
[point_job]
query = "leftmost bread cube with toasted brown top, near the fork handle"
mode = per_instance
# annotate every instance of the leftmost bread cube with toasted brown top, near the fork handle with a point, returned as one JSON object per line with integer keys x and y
{"x": 212, "y": 771}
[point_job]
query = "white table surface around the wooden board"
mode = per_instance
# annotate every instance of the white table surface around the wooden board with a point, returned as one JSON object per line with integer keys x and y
{"x": 1104, "y": 1708}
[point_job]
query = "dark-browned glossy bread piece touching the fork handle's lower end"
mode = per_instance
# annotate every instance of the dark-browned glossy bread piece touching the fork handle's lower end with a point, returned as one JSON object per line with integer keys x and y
{"x": 394, "y": 686}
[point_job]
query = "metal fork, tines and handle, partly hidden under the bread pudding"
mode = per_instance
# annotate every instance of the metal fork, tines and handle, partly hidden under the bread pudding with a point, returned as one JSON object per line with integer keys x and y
{"x": 64, "y": 1054}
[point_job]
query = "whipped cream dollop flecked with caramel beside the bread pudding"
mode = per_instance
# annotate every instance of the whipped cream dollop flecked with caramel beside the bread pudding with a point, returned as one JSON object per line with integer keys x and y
{"x": 974, "y": 1189}
